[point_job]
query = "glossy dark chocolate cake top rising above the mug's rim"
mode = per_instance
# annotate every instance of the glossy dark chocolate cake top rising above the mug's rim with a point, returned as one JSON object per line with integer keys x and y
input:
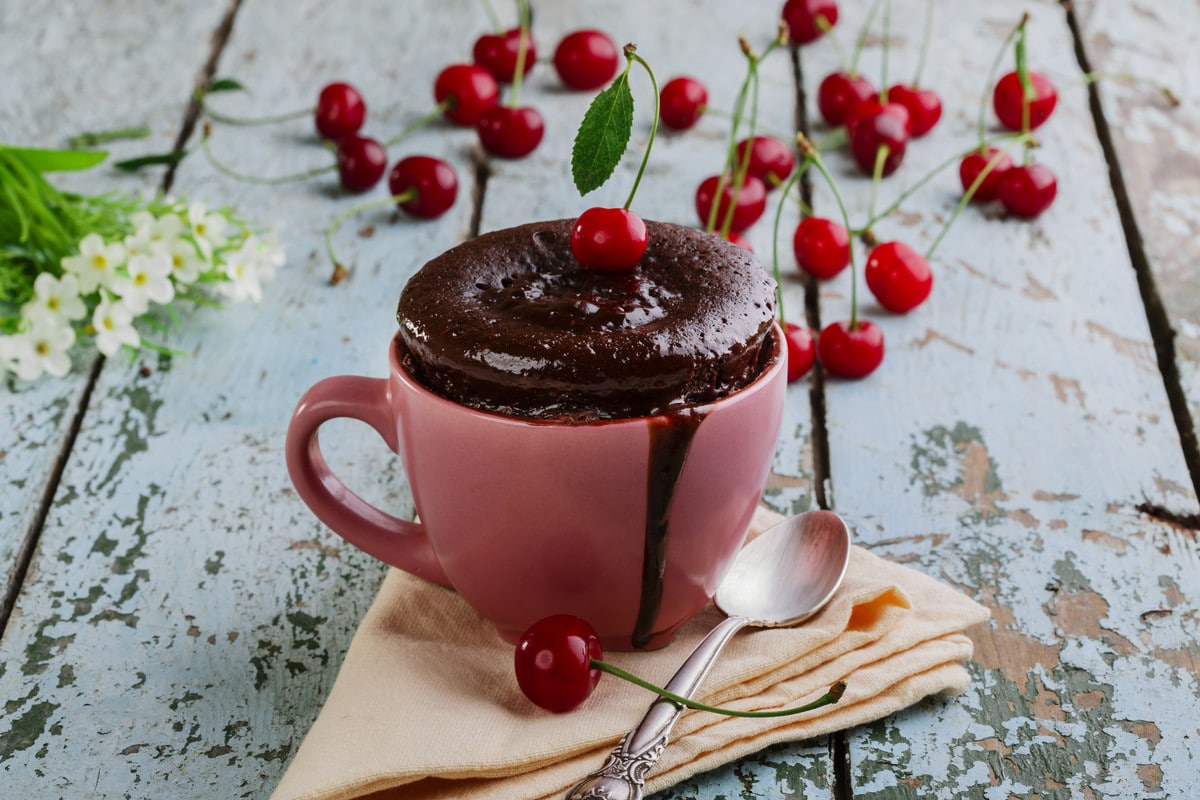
{"x": 511, "y": 323}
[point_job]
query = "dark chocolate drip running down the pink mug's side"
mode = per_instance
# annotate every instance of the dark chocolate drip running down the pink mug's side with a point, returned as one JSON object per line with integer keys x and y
{"x": 670, "y": 441}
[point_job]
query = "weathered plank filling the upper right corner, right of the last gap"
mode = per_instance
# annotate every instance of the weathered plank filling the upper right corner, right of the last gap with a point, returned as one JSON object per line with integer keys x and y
{"x": 1136, "y": 46}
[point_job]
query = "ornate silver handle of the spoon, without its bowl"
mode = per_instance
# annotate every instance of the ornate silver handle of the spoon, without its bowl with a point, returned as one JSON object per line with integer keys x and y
{"x": 623, "y": 774}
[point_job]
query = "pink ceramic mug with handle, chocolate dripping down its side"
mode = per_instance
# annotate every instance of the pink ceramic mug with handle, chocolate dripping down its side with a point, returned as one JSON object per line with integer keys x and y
{"x": 627, "y": 524}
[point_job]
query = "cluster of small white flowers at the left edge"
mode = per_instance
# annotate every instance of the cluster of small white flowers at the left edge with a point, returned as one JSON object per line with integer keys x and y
{"x": 112, "y": 287}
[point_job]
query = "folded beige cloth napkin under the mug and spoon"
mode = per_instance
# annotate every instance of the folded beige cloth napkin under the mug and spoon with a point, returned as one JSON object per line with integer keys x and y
{"x": 427, "y": 706}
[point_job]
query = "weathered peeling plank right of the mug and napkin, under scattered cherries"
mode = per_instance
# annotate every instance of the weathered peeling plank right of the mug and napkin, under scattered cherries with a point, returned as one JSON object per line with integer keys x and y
{"x": 1017, "y": 423}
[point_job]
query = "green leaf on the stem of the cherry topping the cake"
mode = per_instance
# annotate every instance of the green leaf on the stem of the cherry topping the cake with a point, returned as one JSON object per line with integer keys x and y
{"x": 603, "y": 136}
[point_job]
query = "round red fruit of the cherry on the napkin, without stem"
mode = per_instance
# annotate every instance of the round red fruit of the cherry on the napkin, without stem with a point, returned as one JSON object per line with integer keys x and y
{"x": 554, "y": 663}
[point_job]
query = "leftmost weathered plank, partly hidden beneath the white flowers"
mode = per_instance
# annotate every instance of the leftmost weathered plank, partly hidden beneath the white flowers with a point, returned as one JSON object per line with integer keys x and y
{"x": 64, "y": 71}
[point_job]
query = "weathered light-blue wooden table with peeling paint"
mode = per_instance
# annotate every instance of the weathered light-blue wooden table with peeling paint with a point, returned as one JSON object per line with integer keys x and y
{"x": 175, "y": 617}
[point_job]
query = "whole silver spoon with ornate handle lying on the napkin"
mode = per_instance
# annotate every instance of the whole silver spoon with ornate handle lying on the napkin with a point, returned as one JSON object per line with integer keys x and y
{"x": 781, "y": 579}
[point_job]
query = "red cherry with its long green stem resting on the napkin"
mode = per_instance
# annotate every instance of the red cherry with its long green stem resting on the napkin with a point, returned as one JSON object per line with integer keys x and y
{"x": 559, "y": 664}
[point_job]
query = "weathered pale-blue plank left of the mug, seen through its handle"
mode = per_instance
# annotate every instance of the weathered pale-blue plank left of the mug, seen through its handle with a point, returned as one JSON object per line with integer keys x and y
{"x": 185, "y": 615}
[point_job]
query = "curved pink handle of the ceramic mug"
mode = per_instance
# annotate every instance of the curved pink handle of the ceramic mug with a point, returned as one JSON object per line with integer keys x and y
{"x": 389, "y": 539}
